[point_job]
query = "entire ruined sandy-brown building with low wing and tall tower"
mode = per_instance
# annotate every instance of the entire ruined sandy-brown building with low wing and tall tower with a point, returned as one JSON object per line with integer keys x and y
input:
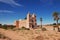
{"x": 28, "y": 22}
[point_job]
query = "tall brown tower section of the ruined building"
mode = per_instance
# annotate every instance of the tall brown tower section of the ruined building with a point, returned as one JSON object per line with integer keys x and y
{"x": 31, "y": 20}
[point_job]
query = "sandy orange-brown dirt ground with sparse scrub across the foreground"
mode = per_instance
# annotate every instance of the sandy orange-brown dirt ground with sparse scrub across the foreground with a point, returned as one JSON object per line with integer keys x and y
{"x": 36, "y": 34}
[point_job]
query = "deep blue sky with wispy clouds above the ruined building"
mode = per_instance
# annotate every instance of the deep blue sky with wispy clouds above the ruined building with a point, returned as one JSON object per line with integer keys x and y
{"x": 11, "y": 10}
